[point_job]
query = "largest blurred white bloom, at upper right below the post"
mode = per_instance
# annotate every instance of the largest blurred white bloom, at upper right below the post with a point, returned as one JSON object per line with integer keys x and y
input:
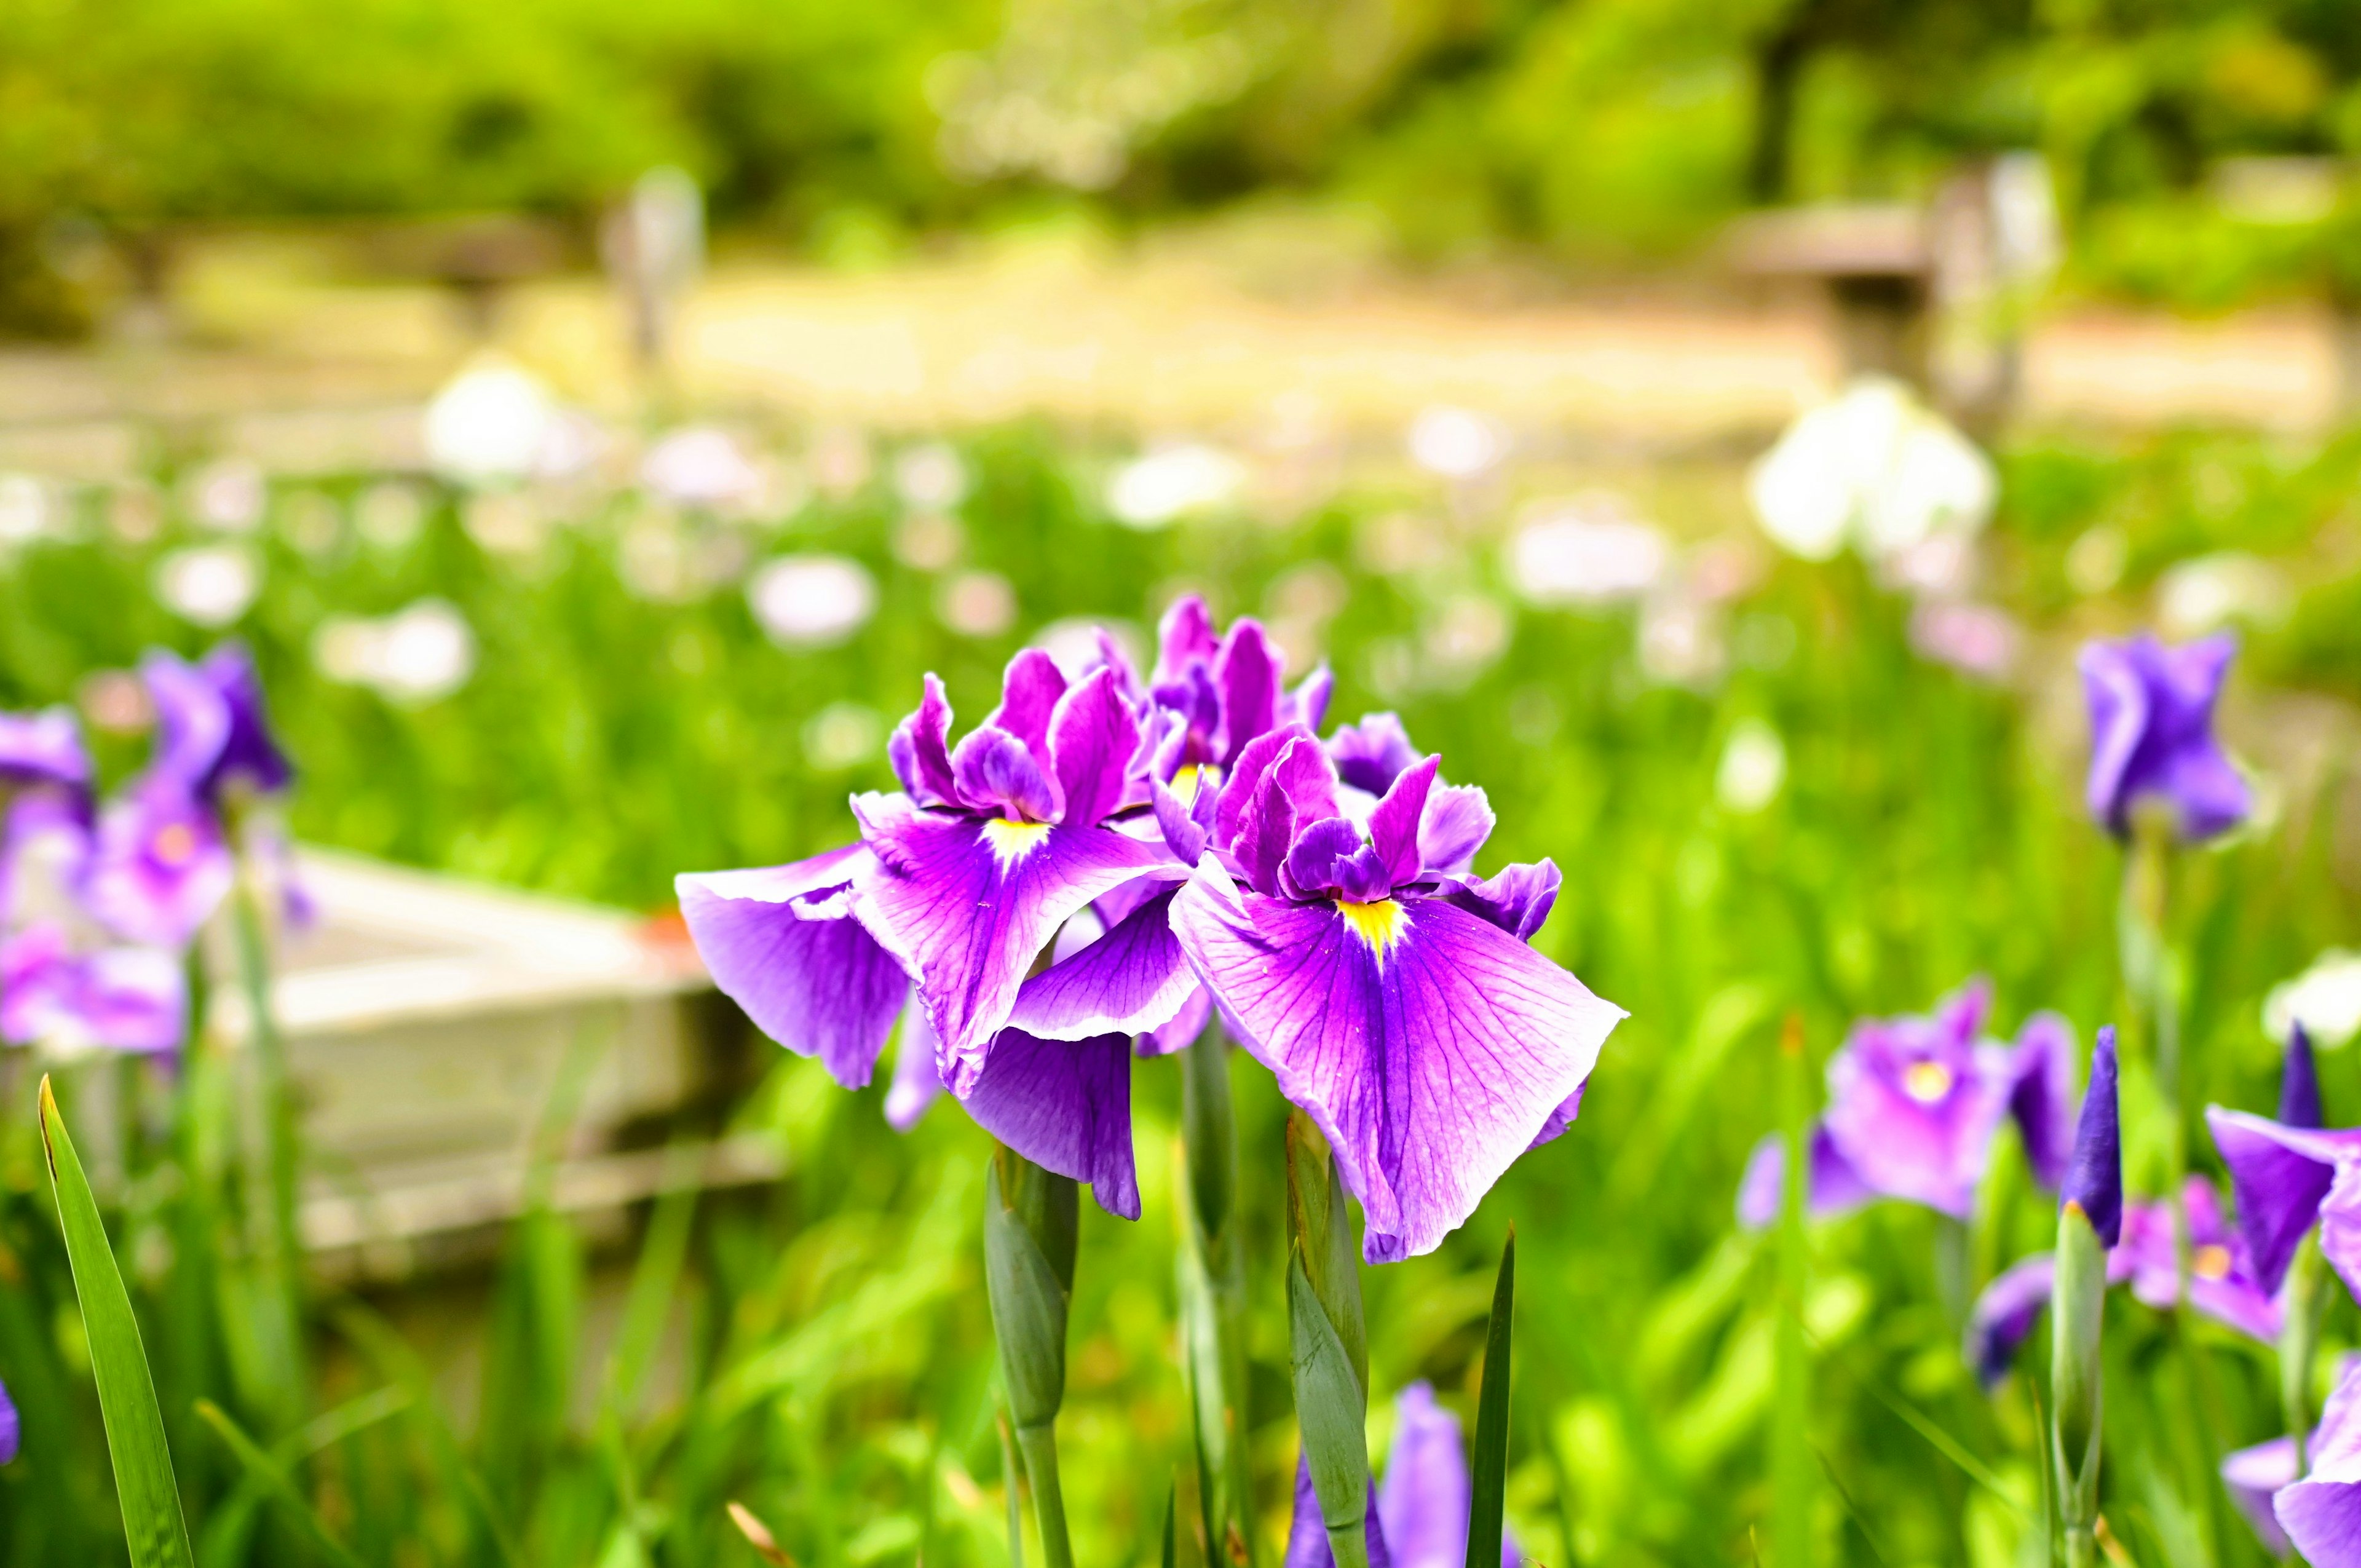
{"x": 1873, "y": 469}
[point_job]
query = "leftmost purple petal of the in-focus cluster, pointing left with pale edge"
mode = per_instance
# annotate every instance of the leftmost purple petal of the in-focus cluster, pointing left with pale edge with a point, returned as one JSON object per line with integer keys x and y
{"x": 783, "y": 943}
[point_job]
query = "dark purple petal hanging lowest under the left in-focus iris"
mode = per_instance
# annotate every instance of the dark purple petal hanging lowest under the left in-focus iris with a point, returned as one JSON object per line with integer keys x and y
{"x": 1064, "y": 1104}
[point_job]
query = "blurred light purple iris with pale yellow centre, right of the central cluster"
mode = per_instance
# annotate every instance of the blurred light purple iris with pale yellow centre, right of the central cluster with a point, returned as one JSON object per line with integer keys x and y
{"x": 1914, "y": 1106}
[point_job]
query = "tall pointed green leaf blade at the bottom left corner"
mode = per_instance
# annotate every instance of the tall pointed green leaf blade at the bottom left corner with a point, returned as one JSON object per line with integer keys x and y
{"x": 152, "y": 1522}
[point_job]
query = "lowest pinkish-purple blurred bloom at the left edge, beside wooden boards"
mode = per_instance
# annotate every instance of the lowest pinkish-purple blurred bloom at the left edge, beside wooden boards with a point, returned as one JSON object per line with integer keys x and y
{"x": 112, "y": 998}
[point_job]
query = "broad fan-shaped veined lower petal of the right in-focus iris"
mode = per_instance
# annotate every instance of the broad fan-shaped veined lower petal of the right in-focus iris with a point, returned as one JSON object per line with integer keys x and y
{"x": 1427, "y": 1045}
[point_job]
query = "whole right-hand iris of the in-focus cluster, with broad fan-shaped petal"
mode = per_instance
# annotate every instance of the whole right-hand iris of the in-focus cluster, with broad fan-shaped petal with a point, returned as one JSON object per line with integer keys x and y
{"x": 1397, "y": 1002}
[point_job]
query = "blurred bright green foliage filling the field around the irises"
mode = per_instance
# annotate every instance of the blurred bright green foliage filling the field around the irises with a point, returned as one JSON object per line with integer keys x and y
{"x": 830, "y": 1354}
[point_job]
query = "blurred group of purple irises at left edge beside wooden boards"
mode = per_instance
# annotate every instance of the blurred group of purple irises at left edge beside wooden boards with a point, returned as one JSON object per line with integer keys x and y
{"x": 98, "y": 903}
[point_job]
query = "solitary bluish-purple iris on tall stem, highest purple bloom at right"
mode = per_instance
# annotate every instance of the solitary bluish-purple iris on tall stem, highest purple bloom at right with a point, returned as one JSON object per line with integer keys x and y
{"x": 2152, "y": 736}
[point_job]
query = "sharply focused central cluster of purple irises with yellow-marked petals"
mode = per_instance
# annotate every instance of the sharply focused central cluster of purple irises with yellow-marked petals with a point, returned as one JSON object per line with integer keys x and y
{"x": 1108, "y": 858}
